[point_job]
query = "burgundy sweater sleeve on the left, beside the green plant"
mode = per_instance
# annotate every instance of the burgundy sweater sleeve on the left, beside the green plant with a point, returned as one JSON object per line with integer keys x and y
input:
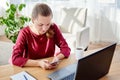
{"x": 18, "y": 57}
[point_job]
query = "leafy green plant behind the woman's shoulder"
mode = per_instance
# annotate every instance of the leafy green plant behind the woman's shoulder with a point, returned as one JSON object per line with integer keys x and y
{"x": 13, "y": 20}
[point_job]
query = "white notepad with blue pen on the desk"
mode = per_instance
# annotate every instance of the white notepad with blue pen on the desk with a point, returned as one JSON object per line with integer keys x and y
{"x": 22, "y": 76}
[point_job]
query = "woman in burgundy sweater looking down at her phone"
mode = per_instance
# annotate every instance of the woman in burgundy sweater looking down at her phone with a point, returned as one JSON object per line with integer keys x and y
{"x": 38, "y": 41}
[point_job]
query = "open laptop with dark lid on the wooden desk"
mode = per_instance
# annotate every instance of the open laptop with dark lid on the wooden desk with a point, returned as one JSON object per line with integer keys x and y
{"x": 91, "y": 67}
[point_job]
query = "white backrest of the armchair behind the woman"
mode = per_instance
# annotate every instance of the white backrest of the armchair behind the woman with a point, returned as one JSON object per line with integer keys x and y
{"x": 72, "y": 19}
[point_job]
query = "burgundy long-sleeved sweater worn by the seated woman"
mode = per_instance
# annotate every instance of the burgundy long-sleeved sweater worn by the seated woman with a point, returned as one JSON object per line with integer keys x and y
{"x": 32, "y": 46}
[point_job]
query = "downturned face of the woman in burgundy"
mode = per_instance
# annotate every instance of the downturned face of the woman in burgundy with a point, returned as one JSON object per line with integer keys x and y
{"x": 42, "y": 23}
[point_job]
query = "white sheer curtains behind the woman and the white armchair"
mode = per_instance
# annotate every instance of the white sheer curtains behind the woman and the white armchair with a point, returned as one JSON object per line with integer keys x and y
{"x": 103, "y": 16}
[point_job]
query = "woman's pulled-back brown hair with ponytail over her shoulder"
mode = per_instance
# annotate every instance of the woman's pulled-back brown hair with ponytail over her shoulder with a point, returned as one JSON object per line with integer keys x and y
{"x": 43, "y": 10}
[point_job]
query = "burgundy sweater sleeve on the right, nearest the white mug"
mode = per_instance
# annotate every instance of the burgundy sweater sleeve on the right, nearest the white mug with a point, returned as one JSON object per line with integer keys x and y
{"x": 61, "y": 42}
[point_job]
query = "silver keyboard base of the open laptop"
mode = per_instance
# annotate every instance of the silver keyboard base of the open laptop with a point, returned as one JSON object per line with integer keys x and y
{"x": 66, "y": 73}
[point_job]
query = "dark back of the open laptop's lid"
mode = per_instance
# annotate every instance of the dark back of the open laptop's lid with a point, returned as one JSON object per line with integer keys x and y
{"x": 96, "y": 65}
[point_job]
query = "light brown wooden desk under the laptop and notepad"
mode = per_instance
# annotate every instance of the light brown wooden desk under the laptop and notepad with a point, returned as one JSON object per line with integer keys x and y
{"x": 7, "y": 70}
